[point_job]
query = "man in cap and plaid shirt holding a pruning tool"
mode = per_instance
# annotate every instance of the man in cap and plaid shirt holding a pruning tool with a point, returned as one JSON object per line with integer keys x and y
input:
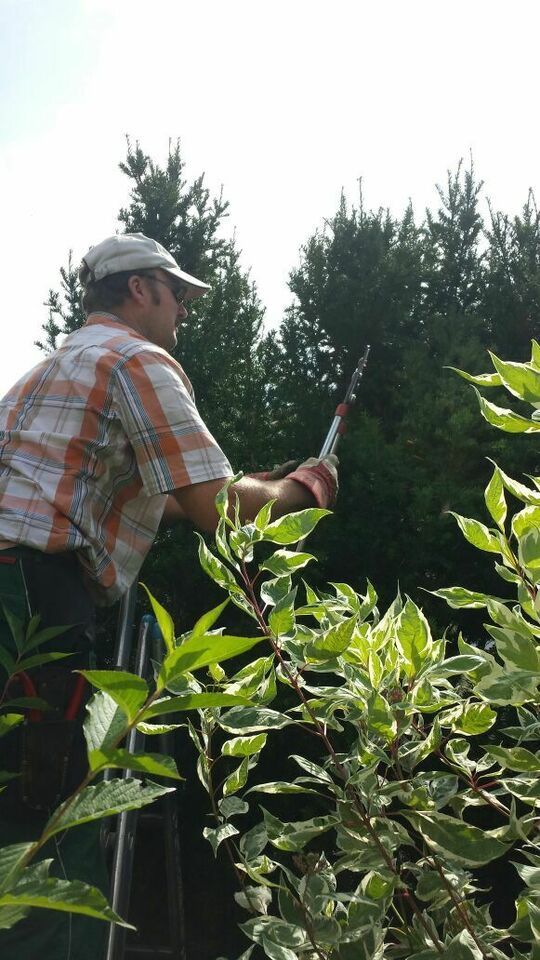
{"x": 99, "y": 444}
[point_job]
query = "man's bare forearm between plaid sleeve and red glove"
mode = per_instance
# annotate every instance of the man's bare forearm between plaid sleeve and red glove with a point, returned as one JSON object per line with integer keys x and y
{"x": 196, "y": 502}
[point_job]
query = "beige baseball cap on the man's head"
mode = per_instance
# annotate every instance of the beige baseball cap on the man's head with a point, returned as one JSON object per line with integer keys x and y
{"x": 134, "y": 251}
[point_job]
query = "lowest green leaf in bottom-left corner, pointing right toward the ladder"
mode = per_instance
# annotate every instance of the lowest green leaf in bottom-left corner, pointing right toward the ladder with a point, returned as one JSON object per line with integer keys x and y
{"x": 64, "y": 895}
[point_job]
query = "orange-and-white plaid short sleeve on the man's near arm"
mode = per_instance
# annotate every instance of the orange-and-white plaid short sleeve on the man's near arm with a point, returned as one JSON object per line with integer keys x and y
{"x": 171, "y": 443}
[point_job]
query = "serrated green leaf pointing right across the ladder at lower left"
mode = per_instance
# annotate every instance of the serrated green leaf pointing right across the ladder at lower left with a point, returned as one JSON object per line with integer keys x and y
{"x": 105, "y": 799}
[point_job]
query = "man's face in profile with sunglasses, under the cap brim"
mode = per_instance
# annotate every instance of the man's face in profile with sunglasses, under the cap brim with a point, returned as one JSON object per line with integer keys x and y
{"x": 165, "y": 311}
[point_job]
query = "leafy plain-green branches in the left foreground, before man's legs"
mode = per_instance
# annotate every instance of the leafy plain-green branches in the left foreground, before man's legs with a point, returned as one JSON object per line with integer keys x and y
{"x": 122, "y": 702}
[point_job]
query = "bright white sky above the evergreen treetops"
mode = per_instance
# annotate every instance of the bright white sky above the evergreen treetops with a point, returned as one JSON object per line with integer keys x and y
{"x": 283, "y": 103}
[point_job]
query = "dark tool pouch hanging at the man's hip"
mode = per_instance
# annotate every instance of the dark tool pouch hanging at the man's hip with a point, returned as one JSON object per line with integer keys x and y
{"x": 51, "y": 765}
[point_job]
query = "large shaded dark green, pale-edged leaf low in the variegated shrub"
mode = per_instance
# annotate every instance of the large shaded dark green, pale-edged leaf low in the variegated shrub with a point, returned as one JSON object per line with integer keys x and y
{"x": 458, "y": 841}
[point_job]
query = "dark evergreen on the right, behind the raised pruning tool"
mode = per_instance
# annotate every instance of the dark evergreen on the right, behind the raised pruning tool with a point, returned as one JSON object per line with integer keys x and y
{"x": 418, "y": 294}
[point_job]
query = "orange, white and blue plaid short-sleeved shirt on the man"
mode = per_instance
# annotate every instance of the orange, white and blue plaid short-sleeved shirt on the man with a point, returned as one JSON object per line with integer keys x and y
{"x": 91, "y": 440}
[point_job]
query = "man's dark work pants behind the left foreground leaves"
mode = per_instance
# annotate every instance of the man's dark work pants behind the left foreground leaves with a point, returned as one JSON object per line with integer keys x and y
{"x": 51, "y": 751}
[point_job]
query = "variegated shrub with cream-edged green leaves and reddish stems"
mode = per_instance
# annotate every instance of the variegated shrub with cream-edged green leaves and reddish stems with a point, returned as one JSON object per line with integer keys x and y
{"x": 402, "y": 784}
